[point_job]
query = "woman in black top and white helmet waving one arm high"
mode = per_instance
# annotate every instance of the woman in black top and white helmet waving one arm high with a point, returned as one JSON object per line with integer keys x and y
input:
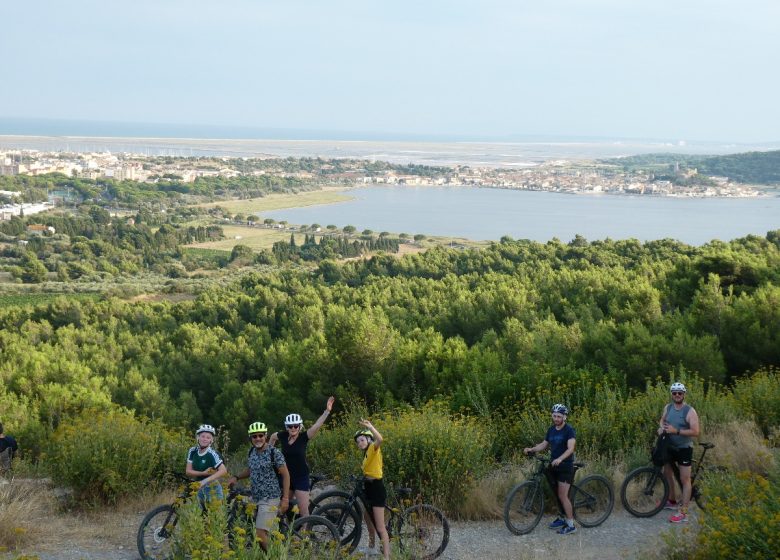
{"x": 294, "y": 441}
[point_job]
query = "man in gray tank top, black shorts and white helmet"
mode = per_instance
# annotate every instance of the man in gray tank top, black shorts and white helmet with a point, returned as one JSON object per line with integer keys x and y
{"x": 681, "y": 422}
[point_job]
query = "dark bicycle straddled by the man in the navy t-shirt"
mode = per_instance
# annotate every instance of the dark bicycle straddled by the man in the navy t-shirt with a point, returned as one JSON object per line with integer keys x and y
{"x": 592, "y": 500}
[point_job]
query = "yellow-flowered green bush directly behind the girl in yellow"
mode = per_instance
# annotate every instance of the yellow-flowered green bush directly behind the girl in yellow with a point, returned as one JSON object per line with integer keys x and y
{"x": 438, "y": 455}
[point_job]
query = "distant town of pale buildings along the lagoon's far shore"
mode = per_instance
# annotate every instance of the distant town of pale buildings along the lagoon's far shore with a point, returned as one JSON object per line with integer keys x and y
{"x": 561, "y": 176}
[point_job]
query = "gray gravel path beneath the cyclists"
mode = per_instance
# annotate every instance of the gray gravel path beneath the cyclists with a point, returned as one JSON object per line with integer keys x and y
{"x": 621, "y": 536}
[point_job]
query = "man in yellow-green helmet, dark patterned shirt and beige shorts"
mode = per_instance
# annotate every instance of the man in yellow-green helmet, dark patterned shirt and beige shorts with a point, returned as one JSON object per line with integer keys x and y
{"x": 270, "y": 493}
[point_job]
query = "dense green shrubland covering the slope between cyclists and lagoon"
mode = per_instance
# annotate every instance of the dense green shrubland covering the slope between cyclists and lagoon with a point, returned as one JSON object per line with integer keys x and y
{"x": 495, "y": 335}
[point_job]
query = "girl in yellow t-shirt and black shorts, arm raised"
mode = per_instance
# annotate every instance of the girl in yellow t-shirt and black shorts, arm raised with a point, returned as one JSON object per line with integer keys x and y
{"x": 368, "y": 440}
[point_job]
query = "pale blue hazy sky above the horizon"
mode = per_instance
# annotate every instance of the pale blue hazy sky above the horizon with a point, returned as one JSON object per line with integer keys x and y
{"x": 667, "y": 69}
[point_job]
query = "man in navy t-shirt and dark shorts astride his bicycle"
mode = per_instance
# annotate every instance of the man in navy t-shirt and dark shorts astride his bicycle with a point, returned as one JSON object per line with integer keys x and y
{"x": 561, "y": 440}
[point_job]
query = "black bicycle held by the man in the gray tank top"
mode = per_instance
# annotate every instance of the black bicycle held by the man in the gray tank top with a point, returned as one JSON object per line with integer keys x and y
{"x": 645, "y": 490}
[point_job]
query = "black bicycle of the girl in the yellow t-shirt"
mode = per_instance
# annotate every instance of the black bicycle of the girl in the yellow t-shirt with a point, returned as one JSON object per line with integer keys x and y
{"x": 421, "y": 529}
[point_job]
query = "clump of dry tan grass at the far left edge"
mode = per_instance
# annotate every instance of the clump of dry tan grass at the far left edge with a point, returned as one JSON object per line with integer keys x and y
{"x": 23, "y": 511}
